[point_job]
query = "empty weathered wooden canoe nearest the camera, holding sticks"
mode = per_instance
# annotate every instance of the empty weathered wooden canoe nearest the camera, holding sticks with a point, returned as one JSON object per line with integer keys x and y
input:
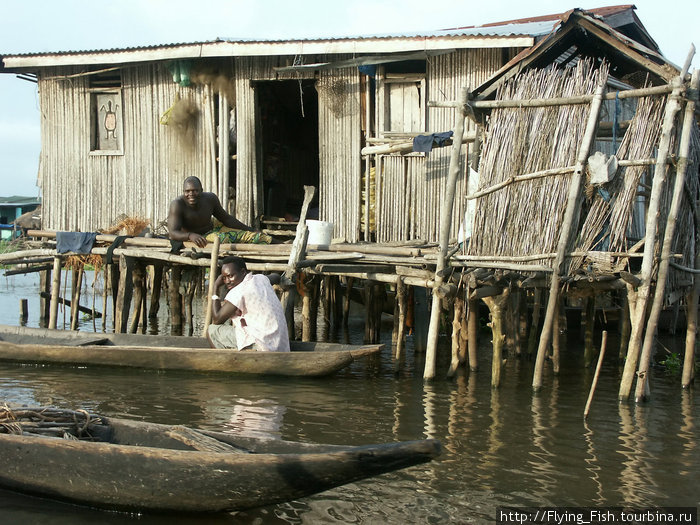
{"x": 137, "y": 466}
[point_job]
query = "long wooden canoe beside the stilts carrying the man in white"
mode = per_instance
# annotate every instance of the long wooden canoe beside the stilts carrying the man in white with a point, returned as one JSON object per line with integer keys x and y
{"x": 38, "y": 345}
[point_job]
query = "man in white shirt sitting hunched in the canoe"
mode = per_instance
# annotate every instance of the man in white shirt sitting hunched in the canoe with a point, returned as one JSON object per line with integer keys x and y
{"x": 257, "y": 318}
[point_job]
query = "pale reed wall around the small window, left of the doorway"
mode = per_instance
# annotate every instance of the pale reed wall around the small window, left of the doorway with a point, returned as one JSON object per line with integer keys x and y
{"x": 84, "y": 192}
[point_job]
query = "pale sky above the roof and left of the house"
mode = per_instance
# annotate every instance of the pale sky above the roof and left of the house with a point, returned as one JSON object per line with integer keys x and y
{"x": 31, "y": 26}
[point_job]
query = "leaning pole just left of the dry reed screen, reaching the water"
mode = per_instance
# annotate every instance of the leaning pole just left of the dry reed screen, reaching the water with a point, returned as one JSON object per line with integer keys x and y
{"x": 445, "y": 226}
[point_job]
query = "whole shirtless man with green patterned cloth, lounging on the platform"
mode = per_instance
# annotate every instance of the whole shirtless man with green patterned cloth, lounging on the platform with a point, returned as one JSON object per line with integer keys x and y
{"x": 190, "y": 219}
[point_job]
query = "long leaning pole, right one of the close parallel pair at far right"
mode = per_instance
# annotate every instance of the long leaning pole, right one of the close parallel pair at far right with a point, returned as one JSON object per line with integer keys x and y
{"x": 669, "y": 231}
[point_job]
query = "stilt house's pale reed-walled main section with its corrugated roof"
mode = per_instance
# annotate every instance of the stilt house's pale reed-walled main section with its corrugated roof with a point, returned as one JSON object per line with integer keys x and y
{"x": 257, "y": 120}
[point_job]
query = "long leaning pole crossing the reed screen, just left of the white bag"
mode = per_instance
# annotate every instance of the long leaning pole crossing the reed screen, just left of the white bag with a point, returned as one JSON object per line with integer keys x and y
{"x": 570, "y": 216}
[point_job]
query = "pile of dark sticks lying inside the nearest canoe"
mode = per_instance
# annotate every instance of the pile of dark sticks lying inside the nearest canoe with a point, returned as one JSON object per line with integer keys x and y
{"x": 44, "y": 421}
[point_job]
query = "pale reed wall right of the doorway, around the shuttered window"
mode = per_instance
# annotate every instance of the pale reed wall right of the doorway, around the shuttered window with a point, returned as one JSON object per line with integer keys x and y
{"x": 411, "y": 188}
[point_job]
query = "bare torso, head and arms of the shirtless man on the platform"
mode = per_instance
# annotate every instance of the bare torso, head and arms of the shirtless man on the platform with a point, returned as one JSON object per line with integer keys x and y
{"x": 189, "y": 217}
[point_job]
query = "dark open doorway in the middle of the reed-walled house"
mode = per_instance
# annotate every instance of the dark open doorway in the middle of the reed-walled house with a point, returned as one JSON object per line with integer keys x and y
{"x": 288, "y": 145}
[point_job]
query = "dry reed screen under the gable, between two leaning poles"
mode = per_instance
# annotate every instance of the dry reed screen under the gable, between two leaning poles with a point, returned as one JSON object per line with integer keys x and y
{"x": 526, "y": 217}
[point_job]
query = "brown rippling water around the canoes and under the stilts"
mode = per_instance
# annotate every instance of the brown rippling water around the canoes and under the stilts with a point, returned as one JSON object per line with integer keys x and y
{"x": 501, "y": 448}
